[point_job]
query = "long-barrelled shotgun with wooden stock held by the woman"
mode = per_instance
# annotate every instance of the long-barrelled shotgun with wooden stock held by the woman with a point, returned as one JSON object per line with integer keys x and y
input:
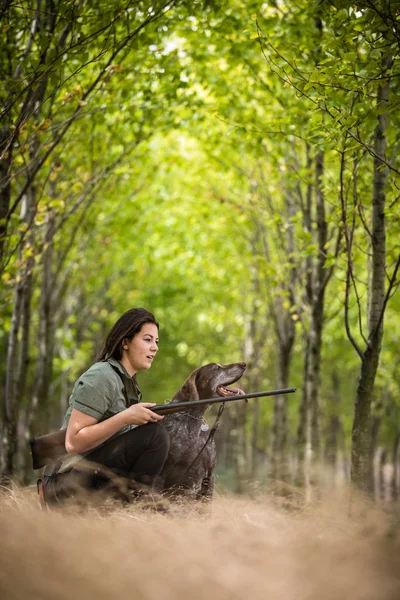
{"x": 51, "y": 447}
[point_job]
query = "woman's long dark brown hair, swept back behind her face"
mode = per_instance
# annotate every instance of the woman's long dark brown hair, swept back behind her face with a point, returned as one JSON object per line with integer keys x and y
{"x": 126, "y": 327}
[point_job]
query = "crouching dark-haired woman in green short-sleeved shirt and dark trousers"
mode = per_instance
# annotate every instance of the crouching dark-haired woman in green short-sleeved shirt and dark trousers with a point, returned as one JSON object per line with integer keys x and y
{"x": 106, "y": 423}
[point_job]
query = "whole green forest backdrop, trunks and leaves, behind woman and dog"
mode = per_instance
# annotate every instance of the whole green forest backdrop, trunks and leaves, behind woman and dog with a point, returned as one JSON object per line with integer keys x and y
{"x": 234, "y": 168}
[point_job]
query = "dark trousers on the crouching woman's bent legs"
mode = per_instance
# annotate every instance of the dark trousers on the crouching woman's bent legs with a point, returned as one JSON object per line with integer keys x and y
{"x": 137, "y": 456}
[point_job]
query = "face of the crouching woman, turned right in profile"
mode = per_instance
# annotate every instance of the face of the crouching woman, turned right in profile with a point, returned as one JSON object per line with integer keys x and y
{"x": 139, "y": 353}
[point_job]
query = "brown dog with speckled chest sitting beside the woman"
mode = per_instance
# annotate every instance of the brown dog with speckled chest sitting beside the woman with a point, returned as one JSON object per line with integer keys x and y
{"x": 183, "y": 473}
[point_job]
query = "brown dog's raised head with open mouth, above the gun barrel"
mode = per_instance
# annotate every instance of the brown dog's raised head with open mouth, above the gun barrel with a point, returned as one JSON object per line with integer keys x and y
{"x": 207, "y": 381}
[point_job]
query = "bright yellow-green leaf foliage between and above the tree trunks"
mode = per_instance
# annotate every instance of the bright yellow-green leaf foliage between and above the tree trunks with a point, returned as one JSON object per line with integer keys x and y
{"x": 171, "y": 160}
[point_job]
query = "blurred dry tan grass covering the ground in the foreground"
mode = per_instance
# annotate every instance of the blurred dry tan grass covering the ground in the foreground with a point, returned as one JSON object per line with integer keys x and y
{"x": 342, "y": 549}
